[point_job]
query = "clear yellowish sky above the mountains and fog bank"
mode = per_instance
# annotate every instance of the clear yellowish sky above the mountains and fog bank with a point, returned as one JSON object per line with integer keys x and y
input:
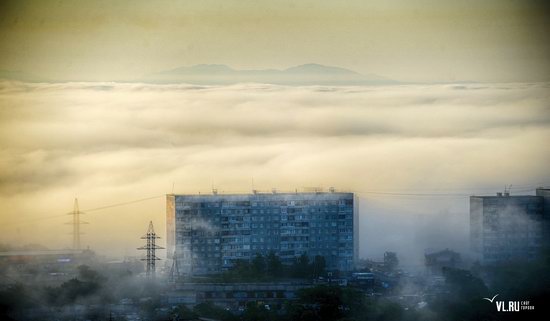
{"x": 418, "y": 41}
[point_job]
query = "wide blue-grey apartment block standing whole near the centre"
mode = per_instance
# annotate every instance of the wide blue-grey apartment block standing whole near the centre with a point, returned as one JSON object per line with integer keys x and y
{"x": 209, "y": 232}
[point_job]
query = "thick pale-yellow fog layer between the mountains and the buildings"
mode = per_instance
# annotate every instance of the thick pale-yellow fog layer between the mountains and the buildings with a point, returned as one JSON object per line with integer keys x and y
{"x": 107, "y": 143}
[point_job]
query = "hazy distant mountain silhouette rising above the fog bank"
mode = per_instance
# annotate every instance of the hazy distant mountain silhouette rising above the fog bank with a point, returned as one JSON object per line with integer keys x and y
{"x": 308, "y": 74}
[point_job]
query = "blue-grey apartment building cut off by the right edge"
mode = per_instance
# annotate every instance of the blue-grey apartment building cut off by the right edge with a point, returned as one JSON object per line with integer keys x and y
{"x": 505, "y": 227}
